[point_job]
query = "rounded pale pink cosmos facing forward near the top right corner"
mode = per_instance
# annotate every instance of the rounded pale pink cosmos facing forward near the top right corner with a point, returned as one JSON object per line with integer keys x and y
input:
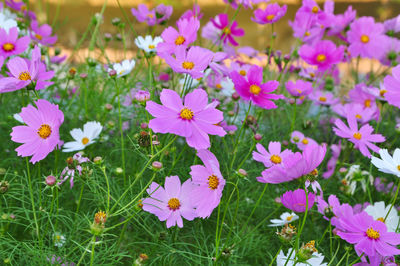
{"x": 365, "y": 38}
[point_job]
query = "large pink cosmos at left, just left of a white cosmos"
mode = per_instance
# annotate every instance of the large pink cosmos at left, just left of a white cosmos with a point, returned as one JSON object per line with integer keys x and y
{"x": 40, "y": 134}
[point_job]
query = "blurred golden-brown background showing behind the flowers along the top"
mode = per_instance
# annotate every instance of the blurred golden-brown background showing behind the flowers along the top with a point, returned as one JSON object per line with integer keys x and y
{"x": 71, "y": 18}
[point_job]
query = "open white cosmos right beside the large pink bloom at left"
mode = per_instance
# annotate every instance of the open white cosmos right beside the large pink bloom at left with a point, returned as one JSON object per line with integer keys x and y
{"x": 91, "y": 130}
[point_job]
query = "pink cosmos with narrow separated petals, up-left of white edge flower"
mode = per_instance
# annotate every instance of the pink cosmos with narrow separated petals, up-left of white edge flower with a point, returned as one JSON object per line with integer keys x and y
{"x": 362, "y": 138}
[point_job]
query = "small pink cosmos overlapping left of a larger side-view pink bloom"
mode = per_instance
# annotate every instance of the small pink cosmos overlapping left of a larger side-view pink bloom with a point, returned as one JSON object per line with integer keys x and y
{"x": 273, "y": 156}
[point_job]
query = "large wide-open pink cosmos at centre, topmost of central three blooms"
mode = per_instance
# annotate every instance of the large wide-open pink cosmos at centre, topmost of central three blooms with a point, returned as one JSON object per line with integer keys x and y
{"x": 194, "y": 119}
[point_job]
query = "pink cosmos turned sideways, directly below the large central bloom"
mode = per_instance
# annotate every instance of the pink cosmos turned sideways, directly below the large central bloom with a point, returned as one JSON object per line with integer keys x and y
{"x": 209, "y": 184}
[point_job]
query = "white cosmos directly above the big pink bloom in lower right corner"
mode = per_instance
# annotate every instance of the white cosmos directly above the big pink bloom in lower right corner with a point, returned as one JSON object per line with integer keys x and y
{"x": 379, "y": 211}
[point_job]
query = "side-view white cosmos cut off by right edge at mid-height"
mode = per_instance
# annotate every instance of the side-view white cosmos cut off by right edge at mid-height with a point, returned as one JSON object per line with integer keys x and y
{"x": 388, "y": 164}
